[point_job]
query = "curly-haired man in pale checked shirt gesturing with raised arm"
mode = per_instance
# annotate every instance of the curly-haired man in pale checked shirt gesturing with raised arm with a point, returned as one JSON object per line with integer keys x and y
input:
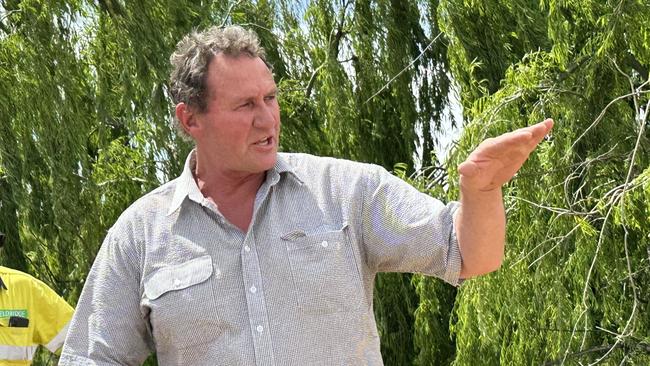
{"x": 254, "y": 257}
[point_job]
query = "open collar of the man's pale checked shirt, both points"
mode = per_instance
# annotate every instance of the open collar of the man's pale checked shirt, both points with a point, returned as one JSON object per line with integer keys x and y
{"x": 186, "y": 185}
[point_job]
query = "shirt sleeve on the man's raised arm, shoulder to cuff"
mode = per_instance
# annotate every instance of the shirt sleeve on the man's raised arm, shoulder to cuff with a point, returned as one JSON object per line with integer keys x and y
{"x": 405, "y": 230}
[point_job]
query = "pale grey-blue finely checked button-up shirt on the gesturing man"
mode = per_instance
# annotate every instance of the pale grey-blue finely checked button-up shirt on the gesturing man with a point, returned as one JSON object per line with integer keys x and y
{"x": 175, "y": 277}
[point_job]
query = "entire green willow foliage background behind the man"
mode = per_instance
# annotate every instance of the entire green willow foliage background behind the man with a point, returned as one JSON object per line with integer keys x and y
{"x": 85, "y": 130}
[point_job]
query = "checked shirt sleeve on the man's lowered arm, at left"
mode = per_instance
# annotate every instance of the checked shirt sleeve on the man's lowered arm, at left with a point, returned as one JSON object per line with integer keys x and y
{"x": 108, "y": 327}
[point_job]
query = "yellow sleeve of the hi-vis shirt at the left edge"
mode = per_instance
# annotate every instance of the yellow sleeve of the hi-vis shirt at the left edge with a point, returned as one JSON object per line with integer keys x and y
{"x": 51, "y": 317}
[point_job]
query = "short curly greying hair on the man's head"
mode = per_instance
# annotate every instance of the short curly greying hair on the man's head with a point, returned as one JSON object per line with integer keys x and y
{"x": 193, "y": 54}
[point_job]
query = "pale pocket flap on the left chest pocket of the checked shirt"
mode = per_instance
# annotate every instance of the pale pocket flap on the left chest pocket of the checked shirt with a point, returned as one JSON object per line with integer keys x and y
{"x": 178, "y": 276}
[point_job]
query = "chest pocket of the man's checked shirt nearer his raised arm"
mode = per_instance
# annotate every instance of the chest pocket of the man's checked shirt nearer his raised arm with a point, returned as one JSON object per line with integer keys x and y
{"x": 324, "y": 271}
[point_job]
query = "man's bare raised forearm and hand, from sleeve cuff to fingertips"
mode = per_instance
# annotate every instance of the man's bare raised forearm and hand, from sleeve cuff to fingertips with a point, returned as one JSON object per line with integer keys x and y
{"x": 481, "y": 221}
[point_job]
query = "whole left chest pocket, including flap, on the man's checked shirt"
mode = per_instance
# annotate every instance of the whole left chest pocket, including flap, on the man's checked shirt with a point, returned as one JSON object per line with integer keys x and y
{"x": 182, "y": 304}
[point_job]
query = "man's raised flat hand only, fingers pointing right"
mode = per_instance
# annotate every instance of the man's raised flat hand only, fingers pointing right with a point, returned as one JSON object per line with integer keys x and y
{"x": 496, "y": 160}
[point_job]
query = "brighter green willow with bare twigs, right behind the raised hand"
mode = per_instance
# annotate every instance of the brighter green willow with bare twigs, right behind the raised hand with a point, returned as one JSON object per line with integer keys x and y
{"x": 574, "y": 284}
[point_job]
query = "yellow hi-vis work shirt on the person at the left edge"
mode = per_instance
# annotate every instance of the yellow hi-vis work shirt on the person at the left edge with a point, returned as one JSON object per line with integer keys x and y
{"x": 48, "y": 316}
